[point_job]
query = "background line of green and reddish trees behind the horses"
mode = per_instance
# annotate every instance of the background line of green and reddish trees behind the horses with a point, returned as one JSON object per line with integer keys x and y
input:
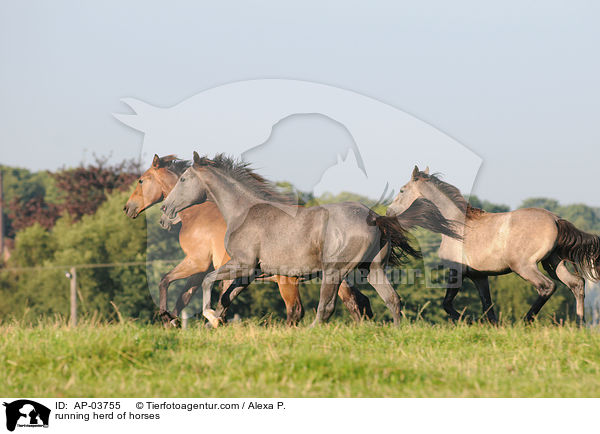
{"x": 74, "y": 216}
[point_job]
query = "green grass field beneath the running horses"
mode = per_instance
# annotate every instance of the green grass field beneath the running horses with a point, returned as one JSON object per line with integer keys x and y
{"x": 337, "y": 360}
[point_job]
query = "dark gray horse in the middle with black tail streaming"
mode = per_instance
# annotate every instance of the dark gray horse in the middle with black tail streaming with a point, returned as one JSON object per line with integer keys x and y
{"x": 268, "y": 234}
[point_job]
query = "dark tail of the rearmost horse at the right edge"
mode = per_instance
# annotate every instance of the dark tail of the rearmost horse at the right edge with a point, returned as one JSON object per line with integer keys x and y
{"x": 579, "y": 247}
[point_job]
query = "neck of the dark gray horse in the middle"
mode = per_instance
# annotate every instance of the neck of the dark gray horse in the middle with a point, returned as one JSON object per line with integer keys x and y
{"x": 232, "y": 197}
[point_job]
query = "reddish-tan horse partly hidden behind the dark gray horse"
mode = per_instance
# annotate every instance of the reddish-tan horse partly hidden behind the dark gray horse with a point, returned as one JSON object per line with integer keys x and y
{"x": 202, "y": 237}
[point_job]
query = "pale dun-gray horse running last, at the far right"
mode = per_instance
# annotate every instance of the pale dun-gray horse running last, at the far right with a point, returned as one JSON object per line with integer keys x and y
{"x": 500, "y": 243}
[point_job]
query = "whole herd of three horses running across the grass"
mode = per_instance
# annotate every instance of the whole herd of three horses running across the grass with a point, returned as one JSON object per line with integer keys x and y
{"x": 237, "y": 227}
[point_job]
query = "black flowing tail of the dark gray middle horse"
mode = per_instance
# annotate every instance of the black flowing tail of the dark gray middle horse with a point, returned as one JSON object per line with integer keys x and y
{"x": 421, "y": 212}
